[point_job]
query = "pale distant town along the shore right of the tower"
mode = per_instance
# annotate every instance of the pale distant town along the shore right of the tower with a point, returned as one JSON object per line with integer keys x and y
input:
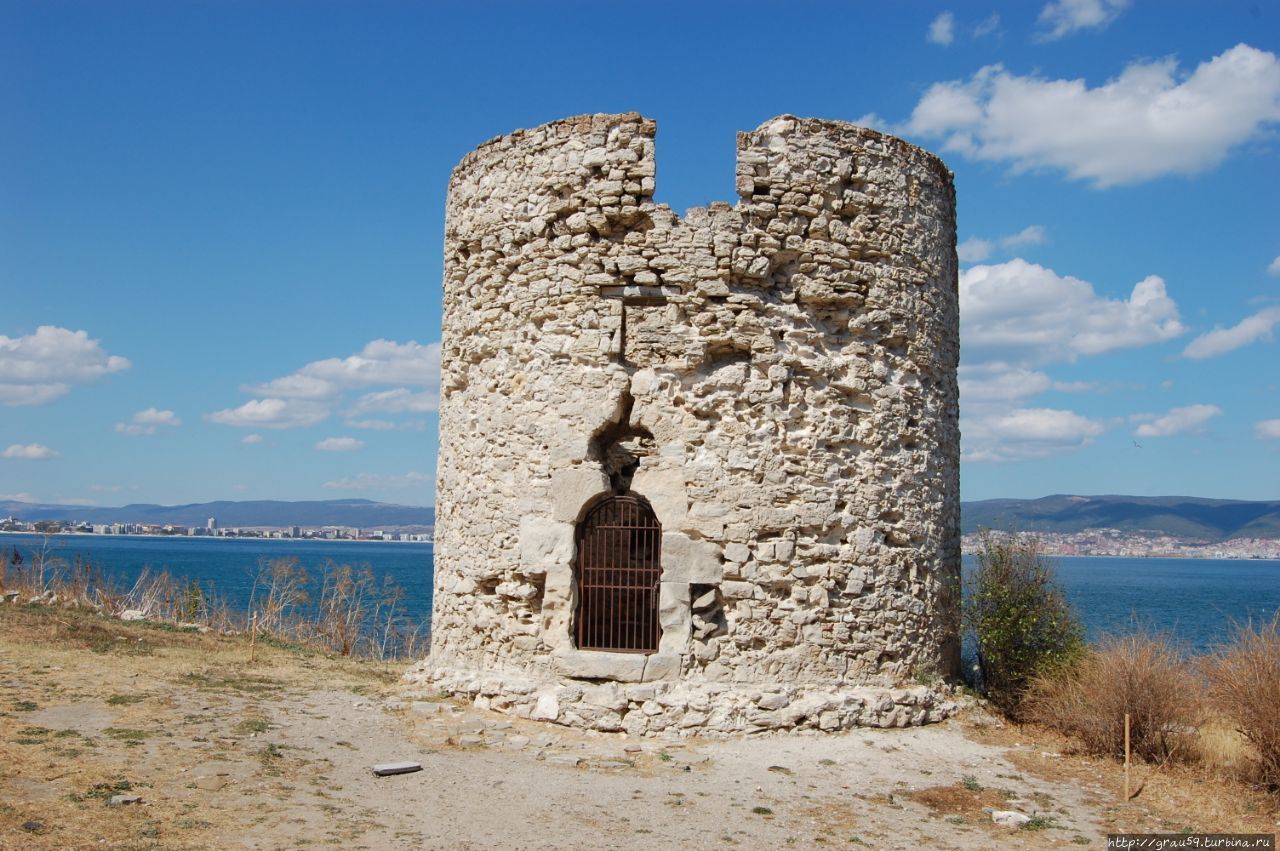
{"x": 1114, "y": 542}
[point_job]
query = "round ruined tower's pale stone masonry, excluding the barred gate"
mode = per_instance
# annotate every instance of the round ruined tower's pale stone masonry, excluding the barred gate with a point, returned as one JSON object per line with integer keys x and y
{"x": 778, "y": 379}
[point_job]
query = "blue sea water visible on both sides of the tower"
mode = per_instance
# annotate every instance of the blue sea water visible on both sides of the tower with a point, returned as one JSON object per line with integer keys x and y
{"x": 1196, "y": 602}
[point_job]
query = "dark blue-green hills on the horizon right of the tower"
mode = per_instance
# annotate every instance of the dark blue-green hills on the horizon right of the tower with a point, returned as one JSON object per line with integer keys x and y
{"x": 1181, "y": 516}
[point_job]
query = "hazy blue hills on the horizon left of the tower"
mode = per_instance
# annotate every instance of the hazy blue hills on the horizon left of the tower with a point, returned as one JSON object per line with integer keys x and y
{"x": 362, "y": 514}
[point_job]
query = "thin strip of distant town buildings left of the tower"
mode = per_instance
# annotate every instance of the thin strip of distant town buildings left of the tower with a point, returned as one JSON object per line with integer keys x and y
{"x": 213, "y": 530}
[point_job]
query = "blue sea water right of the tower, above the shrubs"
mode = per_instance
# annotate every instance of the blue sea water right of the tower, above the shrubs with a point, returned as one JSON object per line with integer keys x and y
{"x": 1194, "y": 601}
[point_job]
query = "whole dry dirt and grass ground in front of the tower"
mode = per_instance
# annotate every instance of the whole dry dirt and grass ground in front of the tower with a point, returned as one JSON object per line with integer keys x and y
{"x": 277, "y": 753}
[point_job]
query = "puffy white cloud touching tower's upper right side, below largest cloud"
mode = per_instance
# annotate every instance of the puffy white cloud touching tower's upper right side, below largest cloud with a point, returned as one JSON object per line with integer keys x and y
{"x": 1023, "y": 314}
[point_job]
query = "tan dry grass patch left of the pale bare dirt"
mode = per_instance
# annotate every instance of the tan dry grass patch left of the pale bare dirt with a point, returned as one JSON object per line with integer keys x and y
{"x": 93, "y": 707}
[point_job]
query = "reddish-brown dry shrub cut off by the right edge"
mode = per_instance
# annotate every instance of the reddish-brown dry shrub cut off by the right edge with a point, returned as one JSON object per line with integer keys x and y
{"x": 1245, "y": 688}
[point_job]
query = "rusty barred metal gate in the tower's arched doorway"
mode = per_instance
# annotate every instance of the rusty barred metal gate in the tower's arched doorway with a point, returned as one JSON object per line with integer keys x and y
{"x": 619, "y": 570}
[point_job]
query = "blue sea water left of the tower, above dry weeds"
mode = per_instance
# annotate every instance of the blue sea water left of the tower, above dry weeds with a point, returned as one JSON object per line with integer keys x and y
{"x": 231, "y": 564}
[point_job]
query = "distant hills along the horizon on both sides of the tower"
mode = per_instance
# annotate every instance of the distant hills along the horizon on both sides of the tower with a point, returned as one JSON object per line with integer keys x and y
{"x": 1190, "y": 518}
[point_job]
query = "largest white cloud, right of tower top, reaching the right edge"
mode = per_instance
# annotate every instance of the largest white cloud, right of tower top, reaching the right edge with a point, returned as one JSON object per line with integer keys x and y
{"x": 1150, "y": 122}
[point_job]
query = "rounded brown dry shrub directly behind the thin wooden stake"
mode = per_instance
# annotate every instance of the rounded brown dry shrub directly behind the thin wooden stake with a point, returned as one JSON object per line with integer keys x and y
{"x": 1142, "y": 675}
